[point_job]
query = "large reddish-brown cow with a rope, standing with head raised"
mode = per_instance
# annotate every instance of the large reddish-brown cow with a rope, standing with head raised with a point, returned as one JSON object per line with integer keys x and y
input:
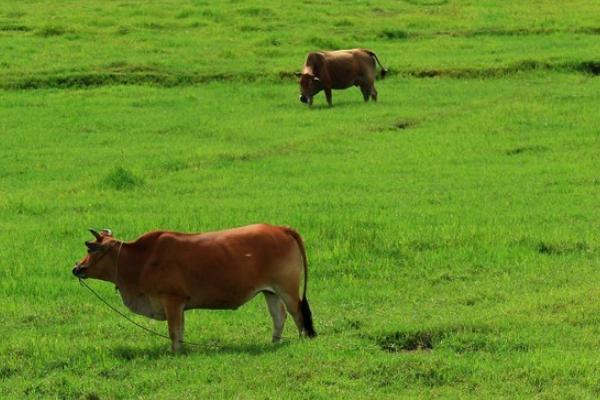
{"x": 162, "y": 274}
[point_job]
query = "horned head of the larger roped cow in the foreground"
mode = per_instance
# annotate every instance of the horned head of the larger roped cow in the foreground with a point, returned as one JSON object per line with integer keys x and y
{"x": 97, "y": 263}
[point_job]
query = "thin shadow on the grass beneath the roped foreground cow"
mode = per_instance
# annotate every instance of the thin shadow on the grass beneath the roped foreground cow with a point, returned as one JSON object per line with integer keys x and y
{"x": 207, "y": 348}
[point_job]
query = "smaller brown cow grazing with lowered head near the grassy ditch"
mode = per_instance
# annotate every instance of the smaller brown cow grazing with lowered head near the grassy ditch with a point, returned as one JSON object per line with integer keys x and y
{"x": 339, "y": 70}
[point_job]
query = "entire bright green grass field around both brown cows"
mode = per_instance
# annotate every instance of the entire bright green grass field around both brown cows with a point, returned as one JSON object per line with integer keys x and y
{"x": 452, "y": 228}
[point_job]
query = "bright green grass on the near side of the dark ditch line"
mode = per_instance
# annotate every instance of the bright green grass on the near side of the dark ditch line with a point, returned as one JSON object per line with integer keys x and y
{"x": 451, "y": 231}
